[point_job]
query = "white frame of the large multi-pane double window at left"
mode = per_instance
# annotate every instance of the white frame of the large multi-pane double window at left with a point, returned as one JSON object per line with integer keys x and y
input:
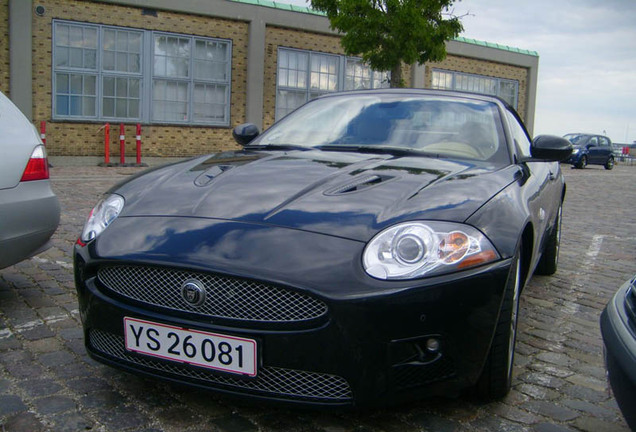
{"x": 146, "y": 78}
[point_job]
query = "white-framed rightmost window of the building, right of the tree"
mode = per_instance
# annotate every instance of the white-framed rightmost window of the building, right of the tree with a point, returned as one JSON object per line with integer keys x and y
{"x": 452, "y": 80}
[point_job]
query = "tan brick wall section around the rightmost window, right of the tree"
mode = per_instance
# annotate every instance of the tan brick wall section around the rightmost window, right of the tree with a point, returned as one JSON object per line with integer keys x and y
{"x": 487, "y": 68}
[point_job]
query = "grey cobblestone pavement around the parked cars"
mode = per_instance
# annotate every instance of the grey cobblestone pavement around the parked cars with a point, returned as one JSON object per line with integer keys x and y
{"x": 47, "y": 382}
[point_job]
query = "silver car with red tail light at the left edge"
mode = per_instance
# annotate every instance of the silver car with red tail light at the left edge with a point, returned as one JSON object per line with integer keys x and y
{"x": 29, "y": 210}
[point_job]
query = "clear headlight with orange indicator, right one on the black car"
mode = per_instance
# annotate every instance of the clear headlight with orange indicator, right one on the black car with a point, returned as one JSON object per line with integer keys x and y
{"x": 415, "y": 249}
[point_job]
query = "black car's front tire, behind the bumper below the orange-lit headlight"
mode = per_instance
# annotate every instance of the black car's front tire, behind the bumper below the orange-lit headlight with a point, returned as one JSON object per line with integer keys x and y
{"x": 496, "y": 377}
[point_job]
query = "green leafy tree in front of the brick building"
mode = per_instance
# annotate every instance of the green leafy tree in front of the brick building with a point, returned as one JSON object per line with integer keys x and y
{"x": 386, "y": 33}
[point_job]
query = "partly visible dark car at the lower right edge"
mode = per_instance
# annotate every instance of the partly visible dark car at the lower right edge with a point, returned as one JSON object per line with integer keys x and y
{"x": 618, "y": 328}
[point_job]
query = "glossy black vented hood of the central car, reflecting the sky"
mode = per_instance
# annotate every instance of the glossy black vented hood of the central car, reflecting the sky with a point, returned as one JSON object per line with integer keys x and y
{"x": 343, "y": 194}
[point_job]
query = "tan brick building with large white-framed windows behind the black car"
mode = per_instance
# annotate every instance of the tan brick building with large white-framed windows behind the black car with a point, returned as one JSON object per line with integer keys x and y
{"x": 189, "y": 71}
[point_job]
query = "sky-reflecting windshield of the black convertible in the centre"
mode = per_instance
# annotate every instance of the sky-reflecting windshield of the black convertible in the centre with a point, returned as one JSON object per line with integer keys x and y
{"x": 433, "y": 125}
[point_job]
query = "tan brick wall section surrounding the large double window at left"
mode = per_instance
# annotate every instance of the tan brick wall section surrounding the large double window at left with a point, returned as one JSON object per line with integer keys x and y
{"x": 82, "y": 138}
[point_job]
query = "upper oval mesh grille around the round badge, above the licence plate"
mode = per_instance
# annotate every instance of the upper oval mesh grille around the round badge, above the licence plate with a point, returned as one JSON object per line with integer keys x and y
{"x": 226, "y": 297}
